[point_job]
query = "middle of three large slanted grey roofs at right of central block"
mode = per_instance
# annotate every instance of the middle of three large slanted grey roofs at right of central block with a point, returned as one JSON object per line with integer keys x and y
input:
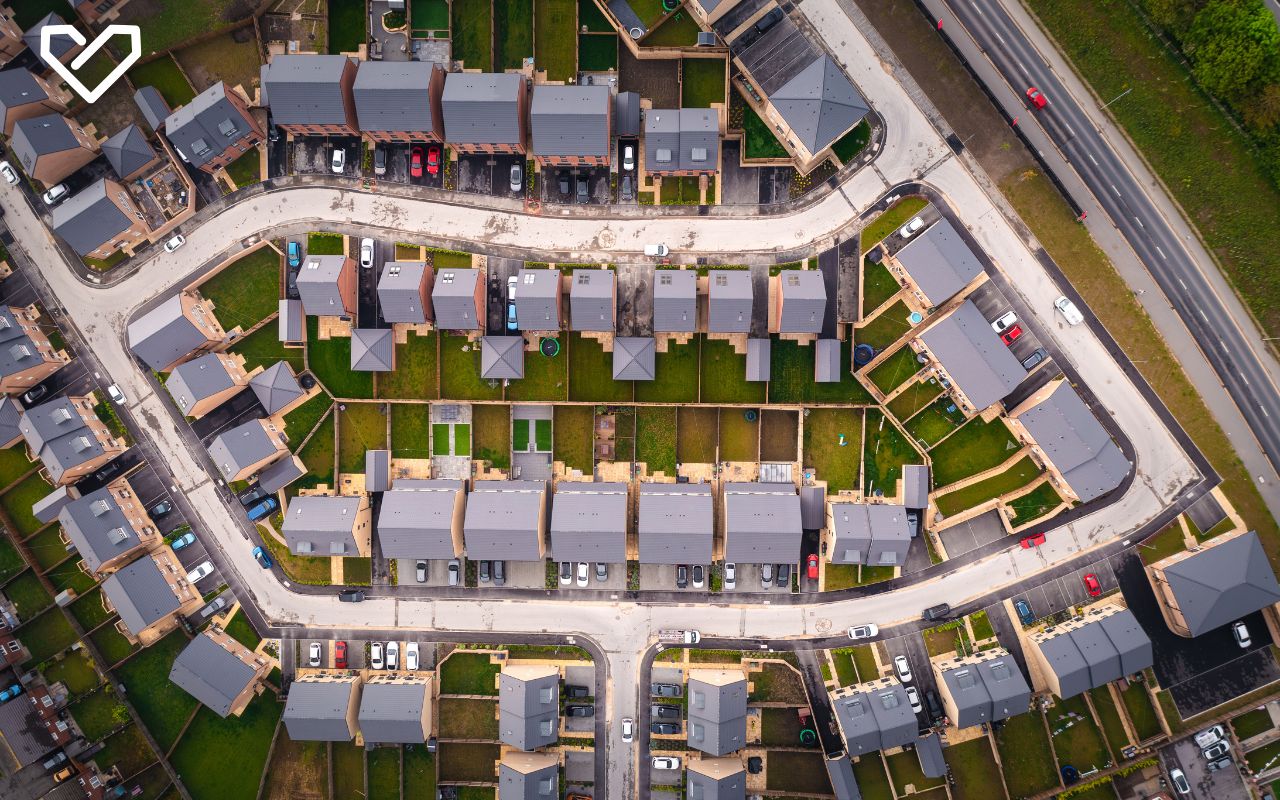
{"x": 973, "y": 355}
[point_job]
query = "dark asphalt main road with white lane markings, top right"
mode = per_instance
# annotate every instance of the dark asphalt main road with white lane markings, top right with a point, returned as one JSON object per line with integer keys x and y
{"x": 1135, "y": 214}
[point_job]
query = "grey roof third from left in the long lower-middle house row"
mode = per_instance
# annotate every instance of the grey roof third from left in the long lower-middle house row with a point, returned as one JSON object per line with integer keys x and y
{"x": 502, "y": 520}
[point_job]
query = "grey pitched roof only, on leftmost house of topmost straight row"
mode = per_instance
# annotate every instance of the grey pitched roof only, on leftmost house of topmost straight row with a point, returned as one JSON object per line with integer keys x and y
{"x": 307, "y": 90}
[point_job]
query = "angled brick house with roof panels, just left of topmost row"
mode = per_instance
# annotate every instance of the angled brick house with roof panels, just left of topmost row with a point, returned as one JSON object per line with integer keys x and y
{"x": 214, "y": 130}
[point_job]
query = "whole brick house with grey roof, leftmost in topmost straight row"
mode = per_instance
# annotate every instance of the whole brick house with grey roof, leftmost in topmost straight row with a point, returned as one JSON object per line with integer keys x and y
{"x": 312, "y": 94}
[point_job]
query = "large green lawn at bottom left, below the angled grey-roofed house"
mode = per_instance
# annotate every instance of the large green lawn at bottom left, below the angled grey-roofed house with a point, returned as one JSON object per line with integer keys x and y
{"x": 212, "y": 744}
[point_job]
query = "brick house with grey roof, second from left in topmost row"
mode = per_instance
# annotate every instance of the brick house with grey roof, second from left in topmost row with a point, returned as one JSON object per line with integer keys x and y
{"x": 400, "y": 102}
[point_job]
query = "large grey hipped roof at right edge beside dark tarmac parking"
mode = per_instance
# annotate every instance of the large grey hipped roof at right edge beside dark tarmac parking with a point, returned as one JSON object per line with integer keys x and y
{"x": 1223, "y": 583}
